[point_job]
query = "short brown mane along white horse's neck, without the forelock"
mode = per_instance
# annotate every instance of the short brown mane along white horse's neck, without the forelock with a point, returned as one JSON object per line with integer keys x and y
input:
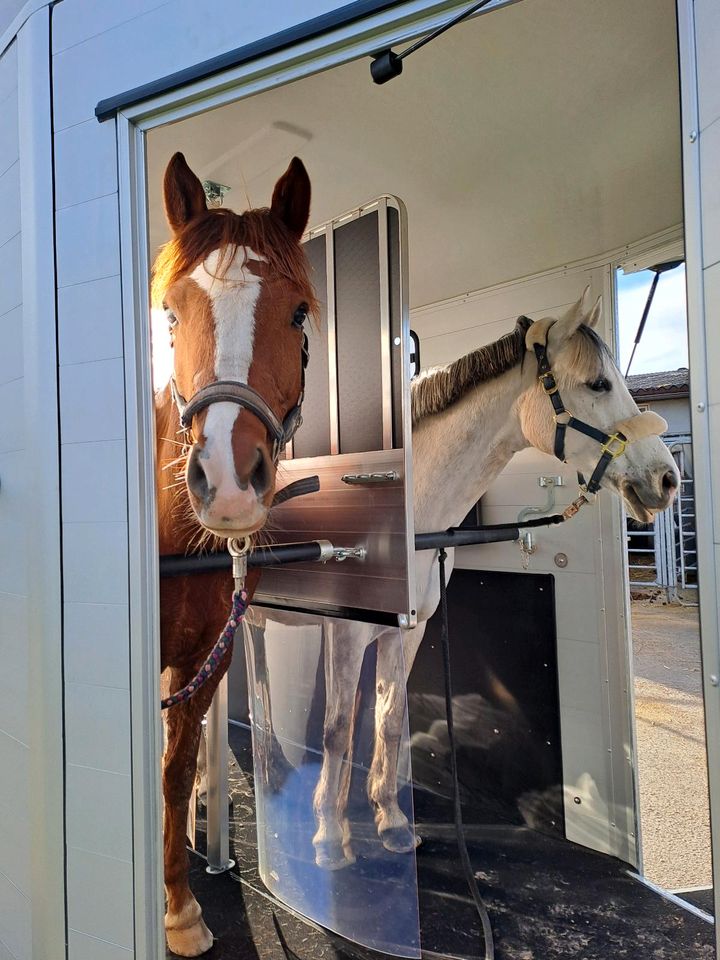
{"x": 437, "y": 389}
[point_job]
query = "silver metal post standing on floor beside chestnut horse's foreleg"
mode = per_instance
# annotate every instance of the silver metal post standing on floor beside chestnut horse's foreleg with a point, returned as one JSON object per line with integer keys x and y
{"x": 218, "y": 830}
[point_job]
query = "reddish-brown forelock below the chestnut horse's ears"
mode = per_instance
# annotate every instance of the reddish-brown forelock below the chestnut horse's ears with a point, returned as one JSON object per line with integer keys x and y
{"x": 224, "y": 230}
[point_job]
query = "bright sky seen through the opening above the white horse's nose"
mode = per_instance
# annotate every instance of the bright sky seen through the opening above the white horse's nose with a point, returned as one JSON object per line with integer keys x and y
{"x": 664, "y": 341}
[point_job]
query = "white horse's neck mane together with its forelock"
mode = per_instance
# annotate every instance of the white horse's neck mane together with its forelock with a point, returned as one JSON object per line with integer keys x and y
{"x": 437, "y": 389}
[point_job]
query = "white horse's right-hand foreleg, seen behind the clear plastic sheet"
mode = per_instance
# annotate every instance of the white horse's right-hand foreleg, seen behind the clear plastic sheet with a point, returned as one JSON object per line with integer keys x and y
{"x": 390, "y": 705}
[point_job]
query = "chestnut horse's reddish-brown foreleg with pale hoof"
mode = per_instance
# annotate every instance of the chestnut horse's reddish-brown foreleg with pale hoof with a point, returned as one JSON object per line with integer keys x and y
{"x": 187, "y": 934}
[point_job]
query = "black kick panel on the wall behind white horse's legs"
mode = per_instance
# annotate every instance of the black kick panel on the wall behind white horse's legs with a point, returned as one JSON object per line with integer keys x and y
{"x": 505, "y": 694}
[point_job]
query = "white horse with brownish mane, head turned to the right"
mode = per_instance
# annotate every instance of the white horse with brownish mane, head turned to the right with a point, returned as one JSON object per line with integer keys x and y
{"x": 469, "y": 418}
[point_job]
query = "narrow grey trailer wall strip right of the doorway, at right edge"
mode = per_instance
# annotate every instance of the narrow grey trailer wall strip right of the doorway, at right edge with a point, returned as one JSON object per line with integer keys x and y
{"x": 699, "y": 34}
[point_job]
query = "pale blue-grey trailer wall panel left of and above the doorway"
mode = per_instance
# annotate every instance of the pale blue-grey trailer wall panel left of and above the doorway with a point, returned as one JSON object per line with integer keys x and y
{"x": 99, "y": 50}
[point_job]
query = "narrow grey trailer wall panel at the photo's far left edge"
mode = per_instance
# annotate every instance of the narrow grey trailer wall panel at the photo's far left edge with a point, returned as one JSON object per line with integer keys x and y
{"x": 15, "y": 903}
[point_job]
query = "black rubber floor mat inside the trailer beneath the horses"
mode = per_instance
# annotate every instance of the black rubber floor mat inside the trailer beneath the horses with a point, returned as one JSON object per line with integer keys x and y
{"x": 548, "y": 899}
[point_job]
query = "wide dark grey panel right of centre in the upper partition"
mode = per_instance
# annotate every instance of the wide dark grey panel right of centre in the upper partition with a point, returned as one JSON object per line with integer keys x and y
{"x": 357, "y": 291}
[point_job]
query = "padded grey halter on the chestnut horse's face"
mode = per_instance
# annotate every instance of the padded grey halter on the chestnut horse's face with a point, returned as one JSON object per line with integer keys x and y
{"x": 234, "y": 391}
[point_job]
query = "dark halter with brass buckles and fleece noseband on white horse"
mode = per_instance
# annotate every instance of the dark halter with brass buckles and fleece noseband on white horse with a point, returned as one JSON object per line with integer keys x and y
{"x": 612, "y": 445}
